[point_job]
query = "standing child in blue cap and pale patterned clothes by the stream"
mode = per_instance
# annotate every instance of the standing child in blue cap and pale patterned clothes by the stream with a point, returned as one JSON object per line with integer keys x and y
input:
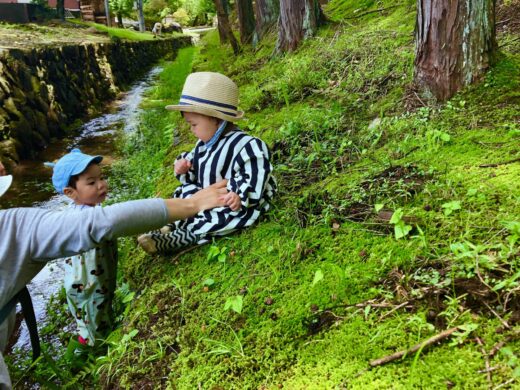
{"x": 90, "y": 278}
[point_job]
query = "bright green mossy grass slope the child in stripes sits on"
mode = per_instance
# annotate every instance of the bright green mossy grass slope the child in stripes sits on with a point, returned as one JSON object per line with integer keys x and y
{"x": 325, "y": 285}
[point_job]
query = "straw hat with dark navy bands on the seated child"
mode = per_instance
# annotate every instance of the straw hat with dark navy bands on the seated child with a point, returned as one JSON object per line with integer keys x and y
{"x": 211, "y": 94}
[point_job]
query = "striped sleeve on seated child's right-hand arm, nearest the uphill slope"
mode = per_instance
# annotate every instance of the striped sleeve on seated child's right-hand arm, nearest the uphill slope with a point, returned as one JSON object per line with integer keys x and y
{"x": 251, "y": 172}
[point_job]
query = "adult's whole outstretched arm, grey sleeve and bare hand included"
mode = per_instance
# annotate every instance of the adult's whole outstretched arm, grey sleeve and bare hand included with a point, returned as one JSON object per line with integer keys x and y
{"x": 51, "y": 234}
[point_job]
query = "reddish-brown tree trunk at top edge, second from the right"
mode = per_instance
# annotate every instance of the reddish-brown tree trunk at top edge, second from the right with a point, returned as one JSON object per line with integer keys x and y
{"x": 299, "y": 19}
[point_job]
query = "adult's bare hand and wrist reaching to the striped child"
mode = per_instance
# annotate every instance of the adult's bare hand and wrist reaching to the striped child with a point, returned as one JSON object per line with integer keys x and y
{"x": 207, "y": 198}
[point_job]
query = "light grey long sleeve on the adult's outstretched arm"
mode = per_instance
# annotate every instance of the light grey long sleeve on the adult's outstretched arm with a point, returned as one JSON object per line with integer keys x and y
{"x": 64, "y": 233}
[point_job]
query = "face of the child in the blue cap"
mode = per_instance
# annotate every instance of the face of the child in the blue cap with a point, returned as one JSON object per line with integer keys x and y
{"x": 91, "y": 187}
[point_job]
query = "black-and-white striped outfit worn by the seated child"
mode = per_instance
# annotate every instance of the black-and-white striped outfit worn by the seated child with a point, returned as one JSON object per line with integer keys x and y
{"x": 244, "y": 161}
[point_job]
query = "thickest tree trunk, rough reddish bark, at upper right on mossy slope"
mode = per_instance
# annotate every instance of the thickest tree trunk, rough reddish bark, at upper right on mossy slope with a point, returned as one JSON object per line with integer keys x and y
{"x": 454, "y": 44}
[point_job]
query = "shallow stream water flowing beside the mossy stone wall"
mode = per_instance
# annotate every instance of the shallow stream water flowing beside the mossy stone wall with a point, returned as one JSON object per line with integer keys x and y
{"x": 32, "y": 181}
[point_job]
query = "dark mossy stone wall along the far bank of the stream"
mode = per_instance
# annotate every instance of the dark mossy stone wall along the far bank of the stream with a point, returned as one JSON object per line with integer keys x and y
{"x": 43, "y": 91}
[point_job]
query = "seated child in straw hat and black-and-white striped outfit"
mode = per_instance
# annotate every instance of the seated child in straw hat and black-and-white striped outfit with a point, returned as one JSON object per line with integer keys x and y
{"x": 209, "y": 104}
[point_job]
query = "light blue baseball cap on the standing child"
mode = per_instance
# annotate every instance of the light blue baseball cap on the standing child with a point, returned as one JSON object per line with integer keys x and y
{"x": 70, "y": 165}
